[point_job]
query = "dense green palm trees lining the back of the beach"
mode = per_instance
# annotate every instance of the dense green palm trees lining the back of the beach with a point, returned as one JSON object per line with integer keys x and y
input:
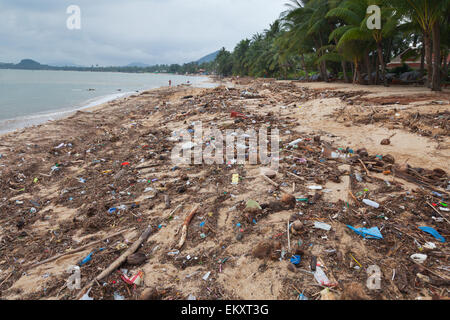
{"x": 331, "y": 39}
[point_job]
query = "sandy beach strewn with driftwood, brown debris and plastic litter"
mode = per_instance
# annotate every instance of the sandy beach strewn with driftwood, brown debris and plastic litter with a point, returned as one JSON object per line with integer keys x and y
{"x": 59, "y": 180}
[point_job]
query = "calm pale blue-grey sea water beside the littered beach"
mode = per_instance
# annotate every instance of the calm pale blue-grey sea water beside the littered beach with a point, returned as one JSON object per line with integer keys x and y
{"x": 31, "y": 97}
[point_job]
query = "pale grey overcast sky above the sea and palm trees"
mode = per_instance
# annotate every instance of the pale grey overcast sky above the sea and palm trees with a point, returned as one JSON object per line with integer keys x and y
{"x": 119, "y": 32}
